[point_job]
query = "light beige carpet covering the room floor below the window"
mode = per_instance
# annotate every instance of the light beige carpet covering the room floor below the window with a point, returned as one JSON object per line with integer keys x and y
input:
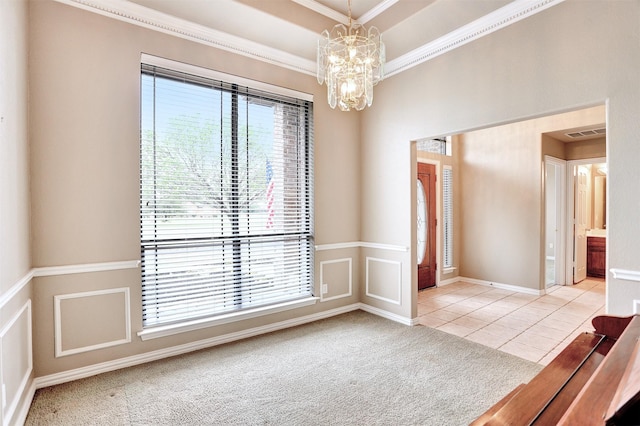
{"x": 355, "y": 369}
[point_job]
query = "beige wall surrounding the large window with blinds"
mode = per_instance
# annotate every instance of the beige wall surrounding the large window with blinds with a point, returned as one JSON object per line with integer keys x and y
{"x": 84, "y": 78}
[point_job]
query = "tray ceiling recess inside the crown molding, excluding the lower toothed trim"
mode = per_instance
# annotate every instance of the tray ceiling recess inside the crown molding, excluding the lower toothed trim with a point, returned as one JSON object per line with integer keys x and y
{"x": 294, "y": 26}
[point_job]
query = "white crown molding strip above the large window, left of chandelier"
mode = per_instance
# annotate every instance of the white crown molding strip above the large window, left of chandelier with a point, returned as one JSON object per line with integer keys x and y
{"x": 148, "y": 18}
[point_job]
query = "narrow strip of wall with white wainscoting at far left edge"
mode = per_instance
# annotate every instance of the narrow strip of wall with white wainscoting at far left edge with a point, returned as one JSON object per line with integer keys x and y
{"x": 15, "y": 263}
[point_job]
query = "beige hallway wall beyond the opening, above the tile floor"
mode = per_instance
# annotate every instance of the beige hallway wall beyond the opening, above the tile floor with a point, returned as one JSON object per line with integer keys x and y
{"x": 502, "y": 197}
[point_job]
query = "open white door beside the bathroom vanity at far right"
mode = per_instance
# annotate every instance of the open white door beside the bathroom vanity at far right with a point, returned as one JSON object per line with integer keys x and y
{"x": 580, "y": 252}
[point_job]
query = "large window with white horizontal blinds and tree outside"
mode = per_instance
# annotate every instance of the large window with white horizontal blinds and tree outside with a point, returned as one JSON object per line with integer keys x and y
{"x": 226, "y": 187}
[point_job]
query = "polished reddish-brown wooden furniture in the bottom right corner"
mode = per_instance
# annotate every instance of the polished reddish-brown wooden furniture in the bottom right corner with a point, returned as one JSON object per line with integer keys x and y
{"x": 595, "y": 380}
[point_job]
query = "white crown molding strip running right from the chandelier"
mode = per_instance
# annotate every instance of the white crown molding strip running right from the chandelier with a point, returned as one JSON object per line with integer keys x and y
{"x": 500, "y": 18}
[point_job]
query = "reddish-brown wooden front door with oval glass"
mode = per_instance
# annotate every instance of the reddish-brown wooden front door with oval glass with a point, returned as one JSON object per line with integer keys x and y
{"x": 426, "y": 225}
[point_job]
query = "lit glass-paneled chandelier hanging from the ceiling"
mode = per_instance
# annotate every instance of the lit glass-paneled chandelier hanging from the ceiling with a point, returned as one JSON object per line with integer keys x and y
{"x": 351, "y": 61}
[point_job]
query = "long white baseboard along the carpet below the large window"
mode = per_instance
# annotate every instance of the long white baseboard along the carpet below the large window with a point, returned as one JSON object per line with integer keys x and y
{"x": 92, "y": 370}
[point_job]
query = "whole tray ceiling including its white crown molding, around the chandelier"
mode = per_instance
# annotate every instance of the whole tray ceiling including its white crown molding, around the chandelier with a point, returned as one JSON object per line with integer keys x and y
{"x": 285, "y": 32}
